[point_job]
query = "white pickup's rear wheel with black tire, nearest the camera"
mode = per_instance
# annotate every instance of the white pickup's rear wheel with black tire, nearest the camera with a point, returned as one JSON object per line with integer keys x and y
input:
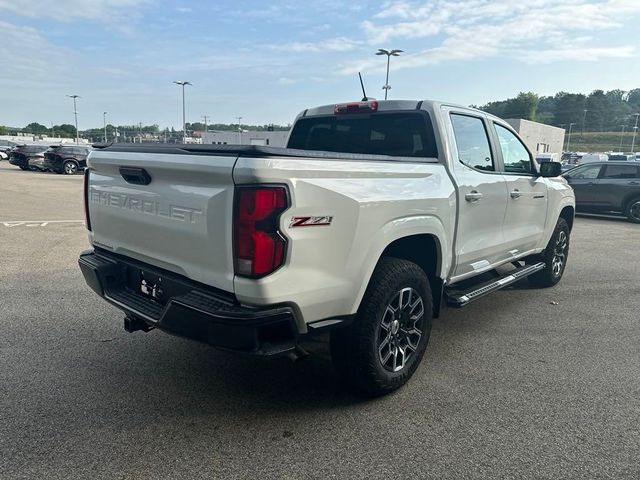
{"x": 357, "y": 351}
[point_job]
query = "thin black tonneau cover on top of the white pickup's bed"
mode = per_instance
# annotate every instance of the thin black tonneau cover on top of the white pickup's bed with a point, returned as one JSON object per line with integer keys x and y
{"x": 248, "y": 151}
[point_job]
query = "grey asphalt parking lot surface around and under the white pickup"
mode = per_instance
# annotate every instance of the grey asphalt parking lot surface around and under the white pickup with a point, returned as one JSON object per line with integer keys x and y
{"x": 522, "y": 384}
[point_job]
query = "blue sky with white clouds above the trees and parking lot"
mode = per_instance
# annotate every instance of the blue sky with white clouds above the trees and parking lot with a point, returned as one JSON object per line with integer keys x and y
{"x": 267, "y": 61}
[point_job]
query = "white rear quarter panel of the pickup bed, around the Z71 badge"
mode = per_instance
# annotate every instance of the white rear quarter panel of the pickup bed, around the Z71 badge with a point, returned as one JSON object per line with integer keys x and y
{"x": 371, "y": 203}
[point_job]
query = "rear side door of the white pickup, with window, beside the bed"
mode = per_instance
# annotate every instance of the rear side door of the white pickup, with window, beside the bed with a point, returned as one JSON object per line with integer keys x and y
{"x": 482, "y": 194}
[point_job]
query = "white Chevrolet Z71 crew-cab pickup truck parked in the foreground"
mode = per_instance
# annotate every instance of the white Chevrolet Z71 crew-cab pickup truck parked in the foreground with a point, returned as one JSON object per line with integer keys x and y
{"x": 375, "y": 215}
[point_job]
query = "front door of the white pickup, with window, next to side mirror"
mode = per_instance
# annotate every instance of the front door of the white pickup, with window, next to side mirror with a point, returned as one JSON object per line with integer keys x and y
{"x": 526, "y": 216}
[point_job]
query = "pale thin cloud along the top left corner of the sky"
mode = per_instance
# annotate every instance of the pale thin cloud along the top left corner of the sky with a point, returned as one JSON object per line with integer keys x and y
{"x": 67, "y": 10}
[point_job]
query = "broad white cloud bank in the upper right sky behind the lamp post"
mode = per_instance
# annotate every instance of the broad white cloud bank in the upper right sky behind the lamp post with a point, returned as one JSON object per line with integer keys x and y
{"x": 535, "y": 31}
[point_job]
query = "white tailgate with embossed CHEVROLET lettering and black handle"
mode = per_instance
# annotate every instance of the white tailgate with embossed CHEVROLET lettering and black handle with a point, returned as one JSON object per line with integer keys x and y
{"x": 180, "y": 221}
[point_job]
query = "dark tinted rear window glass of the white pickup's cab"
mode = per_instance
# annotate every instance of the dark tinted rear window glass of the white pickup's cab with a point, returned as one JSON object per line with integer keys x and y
{"x": 395, "y": 134}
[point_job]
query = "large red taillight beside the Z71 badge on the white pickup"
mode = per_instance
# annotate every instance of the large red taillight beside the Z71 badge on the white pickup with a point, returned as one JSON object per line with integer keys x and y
{"x": 258, "y": 246}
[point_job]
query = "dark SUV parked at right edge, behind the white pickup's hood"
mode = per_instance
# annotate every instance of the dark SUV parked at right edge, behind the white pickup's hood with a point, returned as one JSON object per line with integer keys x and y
{"x": 607, "y": 187}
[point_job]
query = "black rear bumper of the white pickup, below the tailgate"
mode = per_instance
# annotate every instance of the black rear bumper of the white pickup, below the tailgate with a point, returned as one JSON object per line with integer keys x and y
{"x": 188, "y": 309}
